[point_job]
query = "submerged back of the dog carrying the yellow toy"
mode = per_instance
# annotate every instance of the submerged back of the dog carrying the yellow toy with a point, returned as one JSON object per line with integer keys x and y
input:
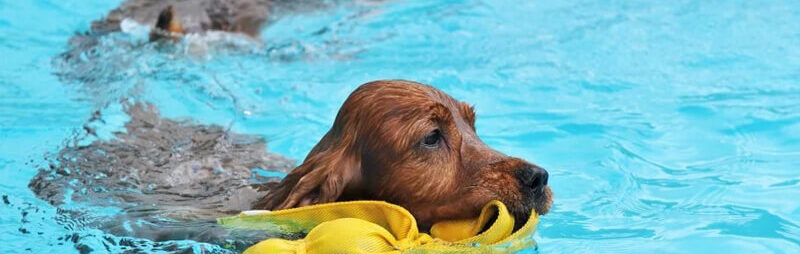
{"x": 166, "y": 179}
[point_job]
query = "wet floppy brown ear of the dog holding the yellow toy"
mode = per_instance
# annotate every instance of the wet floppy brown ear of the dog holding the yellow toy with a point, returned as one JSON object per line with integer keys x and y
{"x": 329, "y": 168}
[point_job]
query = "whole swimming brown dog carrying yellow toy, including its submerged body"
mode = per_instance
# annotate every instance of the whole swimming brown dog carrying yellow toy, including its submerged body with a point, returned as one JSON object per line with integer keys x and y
{"x": 397, "y": 141}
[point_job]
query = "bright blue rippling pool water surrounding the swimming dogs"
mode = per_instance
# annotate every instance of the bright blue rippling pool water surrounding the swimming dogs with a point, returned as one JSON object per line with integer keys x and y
{"x": 669, "y": 126}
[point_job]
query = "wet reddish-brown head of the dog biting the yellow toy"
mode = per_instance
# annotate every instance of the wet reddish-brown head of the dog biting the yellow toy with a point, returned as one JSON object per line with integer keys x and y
{"x": 412, "y": 145}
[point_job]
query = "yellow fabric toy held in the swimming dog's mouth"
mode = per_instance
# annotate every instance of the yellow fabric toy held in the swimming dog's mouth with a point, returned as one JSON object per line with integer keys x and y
{"x": 380, "y": 227}
